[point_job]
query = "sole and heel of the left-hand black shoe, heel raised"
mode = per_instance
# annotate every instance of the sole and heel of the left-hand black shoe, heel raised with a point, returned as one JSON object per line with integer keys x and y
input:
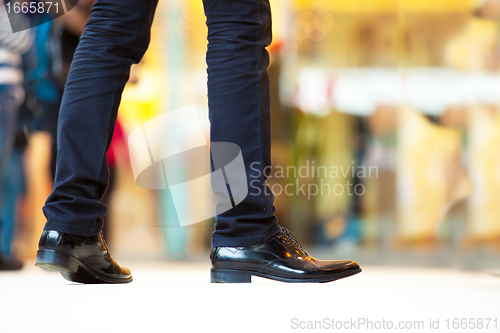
{"x": 71, "y": 268}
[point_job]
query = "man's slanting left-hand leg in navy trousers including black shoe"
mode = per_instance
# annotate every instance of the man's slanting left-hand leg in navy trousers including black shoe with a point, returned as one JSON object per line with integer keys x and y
{"x": 116, "y": 36}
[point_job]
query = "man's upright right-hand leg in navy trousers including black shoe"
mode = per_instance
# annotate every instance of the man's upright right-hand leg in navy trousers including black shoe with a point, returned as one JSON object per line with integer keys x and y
{"x": 248, "y": 240}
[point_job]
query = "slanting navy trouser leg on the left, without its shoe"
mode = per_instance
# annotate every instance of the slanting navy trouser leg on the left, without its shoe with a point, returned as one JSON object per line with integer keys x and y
{"x": 116, "y": 36}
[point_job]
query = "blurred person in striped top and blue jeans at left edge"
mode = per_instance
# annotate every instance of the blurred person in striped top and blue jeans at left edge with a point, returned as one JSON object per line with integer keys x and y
{"x": 12, "y": 46}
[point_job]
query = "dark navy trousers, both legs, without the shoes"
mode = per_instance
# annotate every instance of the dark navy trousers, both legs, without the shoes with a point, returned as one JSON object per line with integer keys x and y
{"x": 117, "y": 36}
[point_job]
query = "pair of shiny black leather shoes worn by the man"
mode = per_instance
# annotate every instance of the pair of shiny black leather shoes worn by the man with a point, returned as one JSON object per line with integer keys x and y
{"x": 281, "y": 258}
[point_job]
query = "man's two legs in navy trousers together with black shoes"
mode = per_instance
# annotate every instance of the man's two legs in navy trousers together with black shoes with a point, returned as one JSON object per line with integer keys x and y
{"x": 247, "y": 241}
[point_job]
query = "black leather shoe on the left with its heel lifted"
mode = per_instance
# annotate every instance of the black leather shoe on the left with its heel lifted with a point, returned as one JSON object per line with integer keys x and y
{"x": 79, "y": 259}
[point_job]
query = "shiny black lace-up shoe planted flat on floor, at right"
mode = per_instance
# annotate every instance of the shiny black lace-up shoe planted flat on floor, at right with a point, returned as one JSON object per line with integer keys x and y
{"x": 281, "y": 258}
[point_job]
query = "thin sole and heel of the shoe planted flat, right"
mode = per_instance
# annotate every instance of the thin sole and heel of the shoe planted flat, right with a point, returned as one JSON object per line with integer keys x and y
{"x": 240, "y": 276}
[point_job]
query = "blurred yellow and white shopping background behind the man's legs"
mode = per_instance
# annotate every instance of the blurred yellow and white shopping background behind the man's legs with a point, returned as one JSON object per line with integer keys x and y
{"x": 406, "y": 89}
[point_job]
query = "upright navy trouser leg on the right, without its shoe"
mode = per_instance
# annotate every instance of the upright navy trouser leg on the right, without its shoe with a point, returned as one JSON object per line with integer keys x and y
{"x": 238, "y": 100}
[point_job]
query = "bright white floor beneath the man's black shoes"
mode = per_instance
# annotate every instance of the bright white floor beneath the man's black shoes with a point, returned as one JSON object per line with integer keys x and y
{"x": 177, "y": 297}
